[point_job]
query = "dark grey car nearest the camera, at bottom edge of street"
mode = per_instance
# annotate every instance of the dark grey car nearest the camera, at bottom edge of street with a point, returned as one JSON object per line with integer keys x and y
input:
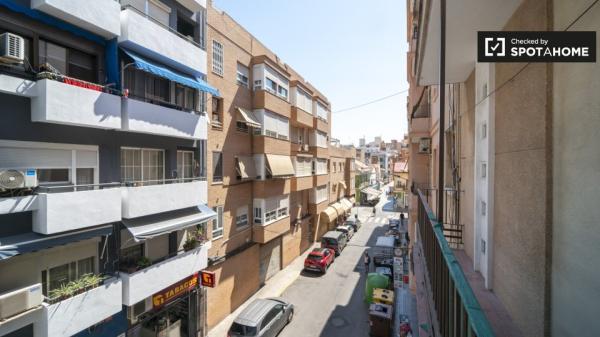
{"x": 262, "y": 318}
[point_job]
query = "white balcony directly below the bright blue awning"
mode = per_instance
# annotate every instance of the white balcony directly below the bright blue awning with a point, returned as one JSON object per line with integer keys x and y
{"x": 149, "y": 118}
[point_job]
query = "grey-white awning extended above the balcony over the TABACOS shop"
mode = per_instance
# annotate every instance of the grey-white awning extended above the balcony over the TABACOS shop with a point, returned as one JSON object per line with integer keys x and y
{"x": 147, "y": 227}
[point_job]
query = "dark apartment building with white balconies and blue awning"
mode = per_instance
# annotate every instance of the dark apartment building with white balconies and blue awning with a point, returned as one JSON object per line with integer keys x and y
{"x": 103, "y": 186}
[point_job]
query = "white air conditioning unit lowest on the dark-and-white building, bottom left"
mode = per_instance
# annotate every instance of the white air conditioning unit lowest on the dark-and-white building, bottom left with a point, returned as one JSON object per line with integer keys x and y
{"x": 18, "y": 301}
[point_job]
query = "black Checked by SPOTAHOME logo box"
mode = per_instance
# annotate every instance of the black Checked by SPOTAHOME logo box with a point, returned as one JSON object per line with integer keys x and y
{"x": 536, "y": 46}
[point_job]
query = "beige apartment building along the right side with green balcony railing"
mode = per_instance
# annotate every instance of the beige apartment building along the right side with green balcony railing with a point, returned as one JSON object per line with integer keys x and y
{"x": 520, "y": 168}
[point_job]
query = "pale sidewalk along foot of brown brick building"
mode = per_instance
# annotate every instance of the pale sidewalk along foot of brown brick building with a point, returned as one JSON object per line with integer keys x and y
{"x": 274, "y": 287}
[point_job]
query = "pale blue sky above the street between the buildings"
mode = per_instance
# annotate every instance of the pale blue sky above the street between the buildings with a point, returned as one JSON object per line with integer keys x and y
{"x": 352, "y": 51}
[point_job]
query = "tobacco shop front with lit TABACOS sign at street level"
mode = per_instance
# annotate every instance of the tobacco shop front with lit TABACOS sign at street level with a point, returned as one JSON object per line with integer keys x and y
{"x": 175, "y": 311}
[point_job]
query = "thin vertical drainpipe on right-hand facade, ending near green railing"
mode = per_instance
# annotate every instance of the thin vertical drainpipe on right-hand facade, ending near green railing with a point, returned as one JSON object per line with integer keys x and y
{"x": 442, "y": 128}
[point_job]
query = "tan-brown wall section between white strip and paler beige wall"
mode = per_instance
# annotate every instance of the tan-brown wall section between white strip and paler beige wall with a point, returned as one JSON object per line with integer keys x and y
{"x": 520, "y": 229}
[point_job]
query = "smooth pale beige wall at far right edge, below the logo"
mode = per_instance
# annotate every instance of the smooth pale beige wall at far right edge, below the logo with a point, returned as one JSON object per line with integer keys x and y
{"x": 576, "y": 163}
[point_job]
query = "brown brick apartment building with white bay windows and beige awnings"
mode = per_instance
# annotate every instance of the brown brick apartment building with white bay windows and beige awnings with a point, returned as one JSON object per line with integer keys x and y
{"x": 268, "y": 145}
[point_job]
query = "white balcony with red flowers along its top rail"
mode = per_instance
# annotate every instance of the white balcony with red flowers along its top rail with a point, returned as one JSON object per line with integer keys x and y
{"x": 68, "y": 101}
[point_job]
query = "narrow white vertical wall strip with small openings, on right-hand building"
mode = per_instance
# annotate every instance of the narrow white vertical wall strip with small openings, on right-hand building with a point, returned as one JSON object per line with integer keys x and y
{"x": 483, "y": 172}
